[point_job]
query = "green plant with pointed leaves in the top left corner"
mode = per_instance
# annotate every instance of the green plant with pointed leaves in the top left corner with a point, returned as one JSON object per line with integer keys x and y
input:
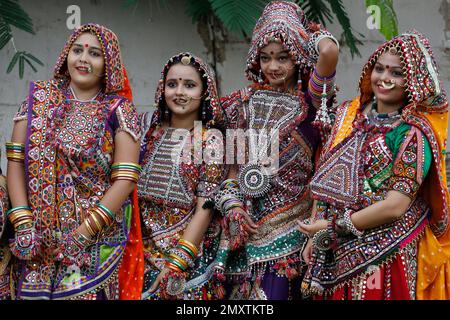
{"x": 13, "y": 15}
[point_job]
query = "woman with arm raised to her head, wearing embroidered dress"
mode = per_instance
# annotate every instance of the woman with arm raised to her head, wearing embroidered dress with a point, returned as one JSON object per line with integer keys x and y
{"x": 292, "y": 65}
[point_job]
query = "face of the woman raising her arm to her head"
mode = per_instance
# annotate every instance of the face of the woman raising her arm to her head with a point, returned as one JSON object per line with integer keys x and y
{"x": 277, "y": 66}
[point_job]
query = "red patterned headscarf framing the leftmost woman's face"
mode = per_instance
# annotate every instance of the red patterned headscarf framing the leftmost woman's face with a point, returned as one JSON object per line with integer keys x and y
{"x": 114, "y": 69}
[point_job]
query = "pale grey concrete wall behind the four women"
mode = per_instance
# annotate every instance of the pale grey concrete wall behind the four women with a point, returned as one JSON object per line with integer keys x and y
{"x": 151, "y": 33}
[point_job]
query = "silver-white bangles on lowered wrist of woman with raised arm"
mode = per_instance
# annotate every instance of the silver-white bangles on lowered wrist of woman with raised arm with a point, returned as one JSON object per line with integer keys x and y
{"x": 229, "y": 196}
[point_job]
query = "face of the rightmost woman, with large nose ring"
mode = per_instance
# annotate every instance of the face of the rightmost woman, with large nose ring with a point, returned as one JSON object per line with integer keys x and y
{"x": 387, "y": 81}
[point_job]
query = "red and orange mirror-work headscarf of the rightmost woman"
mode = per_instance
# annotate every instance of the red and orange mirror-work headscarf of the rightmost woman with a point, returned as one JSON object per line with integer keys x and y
{"x": 426, "y": 108}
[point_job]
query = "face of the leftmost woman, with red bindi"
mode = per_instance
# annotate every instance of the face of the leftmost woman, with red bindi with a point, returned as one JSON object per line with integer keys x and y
{"x": 85, "y": 62}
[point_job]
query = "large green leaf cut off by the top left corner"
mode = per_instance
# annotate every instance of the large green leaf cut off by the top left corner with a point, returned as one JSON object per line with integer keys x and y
{"x": 12, "y": 13}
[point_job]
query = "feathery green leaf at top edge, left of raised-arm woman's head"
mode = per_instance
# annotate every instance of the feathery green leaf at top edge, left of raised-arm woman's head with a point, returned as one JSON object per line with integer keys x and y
{"x": 238, "y": 16}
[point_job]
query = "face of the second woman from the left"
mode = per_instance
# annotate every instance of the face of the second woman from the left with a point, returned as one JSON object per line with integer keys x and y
{"x": 183, "y": 90}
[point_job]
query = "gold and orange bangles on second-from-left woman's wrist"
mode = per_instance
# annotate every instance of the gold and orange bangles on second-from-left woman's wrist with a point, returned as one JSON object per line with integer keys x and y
{"x": 182, "y": 256}
